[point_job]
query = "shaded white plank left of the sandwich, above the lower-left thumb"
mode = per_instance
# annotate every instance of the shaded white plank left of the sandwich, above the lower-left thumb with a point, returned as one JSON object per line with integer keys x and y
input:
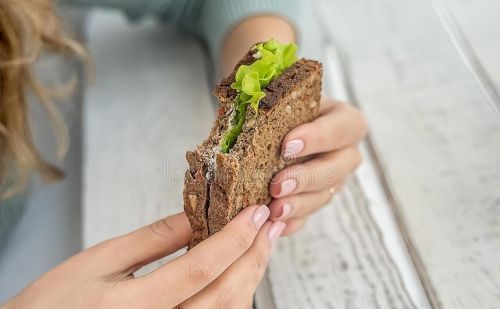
{"x": 150, "y": 103}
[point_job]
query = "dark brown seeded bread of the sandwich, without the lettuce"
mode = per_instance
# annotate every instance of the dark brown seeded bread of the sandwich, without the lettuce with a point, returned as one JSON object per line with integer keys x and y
{"x": 217, "y": 185}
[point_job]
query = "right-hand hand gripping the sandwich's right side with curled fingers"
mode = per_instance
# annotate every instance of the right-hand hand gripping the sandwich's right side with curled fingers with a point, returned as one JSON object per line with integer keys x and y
{"x": 330, "y": 143}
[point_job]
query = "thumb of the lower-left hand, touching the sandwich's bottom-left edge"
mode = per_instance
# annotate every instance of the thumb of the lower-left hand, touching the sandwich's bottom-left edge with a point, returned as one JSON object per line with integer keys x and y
{"x": 129, "y": 252}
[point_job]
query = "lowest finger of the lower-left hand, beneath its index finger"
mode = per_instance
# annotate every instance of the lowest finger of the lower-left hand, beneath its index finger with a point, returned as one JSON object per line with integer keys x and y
{"x": 236, "y": 286}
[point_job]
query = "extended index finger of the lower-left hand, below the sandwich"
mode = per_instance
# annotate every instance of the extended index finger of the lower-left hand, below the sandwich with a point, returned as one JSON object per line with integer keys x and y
{"x": 187, "y": 275}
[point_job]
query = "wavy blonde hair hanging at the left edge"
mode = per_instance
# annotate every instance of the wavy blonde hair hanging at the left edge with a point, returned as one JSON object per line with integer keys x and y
{"x": 28, "y": 28}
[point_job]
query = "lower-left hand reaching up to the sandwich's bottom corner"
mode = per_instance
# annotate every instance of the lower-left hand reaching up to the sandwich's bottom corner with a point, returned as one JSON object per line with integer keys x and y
{"x": 221, "y": 272}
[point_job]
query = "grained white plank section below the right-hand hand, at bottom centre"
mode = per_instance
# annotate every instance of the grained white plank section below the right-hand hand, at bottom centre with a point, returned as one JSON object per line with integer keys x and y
{"x": 337, "y": 261}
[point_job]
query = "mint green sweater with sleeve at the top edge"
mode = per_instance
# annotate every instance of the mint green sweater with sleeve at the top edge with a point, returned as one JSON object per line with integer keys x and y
{"x": 207, "y": 19}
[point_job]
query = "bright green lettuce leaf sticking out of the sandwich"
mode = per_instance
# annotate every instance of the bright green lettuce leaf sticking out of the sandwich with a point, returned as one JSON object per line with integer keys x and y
{"x": 272, "y": 59}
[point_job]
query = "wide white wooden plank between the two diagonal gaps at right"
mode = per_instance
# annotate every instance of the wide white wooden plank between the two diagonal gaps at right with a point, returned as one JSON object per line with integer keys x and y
{"x": 437, "y": 138}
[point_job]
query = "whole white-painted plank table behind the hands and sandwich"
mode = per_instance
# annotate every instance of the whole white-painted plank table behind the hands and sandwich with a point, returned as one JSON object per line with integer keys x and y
{"x": 416, "y": 227}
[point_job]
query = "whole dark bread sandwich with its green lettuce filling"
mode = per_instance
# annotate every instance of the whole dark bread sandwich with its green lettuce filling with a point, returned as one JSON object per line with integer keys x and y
{"x": 269, "y": 93}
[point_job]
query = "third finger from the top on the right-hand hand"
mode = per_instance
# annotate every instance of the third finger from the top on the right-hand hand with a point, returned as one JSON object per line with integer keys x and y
{"x": 299, "y": 205}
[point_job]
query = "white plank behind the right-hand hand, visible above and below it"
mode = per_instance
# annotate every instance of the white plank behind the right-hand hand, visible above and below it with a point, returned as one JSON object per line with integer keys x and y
{"x": 339, "y": 276}
